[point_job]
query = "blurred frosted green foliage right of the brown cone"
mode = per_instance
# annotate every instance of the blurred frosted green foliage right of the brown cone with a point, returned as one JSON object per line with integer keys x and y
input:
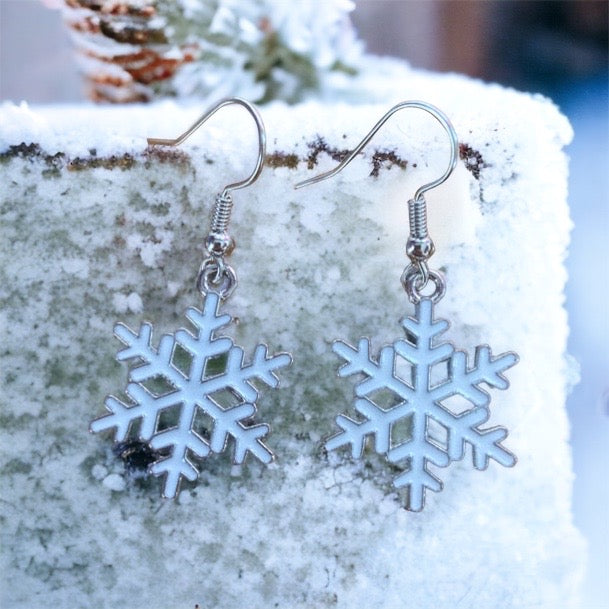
{"x": 264, "y": 49}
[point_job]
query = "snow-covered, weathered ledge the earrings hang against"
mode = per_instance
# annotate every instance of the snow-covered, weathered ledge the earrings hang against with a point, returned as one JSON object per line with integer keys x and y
{"x": 97, "y": 228}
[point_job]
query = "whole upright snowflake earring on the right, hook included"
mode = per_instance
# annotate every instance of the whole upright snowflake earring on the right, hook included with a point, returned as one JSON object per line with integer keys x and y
{"x": 421, "y": 400}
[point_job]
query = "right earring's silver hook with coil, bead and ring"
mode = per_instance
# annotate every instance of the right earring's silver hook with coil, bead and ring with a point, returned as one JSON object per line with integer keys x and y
{"x": 419, "y": 246}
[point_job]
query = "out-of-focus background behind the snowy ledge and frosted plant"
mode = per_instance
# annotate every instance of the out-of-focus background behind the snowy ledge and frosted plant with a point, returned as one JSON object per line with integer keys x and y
{"x": 557, "y": 48}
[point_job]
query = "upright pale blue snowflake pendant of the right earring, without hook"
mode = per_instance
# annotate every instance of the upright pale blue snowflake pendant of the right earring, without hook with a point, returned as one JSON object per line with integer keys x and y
{"x": 421, "y": 402}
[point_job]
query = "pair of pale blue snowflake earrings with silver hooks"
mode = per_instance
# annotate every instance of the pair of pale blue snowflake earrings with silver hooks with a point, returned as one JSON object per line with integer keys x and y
{"x": 196, "y": 367}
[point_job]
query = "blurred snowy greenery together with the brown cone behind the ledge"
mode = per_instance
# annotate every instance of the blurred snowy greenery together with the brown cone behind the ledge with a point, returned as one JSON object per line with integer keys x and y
{"x": 133, "y": 50}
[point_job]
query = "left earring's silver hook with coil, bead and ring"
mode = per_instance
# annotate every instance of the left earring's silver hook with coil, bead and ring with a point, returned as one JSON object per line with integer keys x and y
{"x": 215, "y": 275}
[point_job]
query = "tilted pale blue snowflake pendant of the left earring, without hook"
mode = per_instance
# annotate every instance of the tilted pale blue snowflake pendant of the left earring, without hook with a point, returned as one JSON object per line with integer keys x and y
{"x": 215, "y": 367}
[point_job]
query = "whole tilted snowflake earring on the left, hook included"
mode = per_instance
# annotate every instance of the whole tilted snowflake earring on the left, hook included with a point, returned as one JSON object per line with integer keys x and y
{"x": 197, "y": 367}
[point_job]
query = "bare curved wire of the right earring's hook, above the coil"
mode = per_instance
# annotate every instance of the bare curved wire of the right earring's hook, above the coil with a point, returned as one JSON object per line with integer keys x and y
{"x": 421, "y": 105}
